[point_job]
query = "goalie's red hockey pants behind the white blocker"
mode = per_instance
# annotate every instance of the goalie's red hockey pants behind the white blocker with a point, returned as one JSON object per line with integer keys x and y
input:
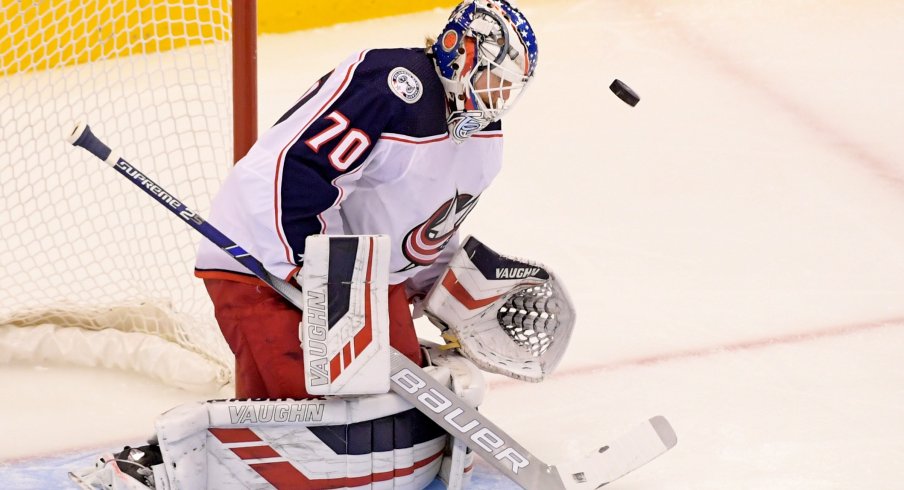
{"x": 261, "y": 328}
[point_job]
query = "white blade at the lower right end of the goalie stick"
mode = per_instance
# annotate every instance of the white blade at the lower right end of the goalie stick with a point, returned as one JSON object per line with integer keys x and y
{"x": 643, "y": 444}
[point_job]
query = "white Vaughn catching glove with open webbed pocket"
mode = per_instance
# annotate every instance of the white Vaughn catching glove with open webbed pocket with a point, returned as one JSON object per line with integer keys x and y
{"x": 508, "y": 316}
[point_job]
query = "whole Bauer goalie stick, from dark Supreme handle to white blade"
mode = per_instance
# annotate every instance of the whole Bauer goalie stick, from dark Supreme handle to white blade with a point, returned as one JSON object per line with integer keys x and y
{"x": 640, "y": 446}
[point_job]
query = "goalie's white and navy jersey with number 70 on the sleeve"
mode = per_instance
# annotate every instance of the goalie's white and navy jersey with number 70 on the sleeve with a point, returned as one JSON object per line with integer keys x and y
{"x": 364, "y": 151}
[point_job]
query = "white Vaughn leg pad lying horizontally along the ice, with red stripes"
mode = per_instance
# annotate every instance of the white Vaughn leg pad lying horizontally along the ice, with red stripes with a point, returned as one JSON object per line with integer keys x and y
{"x": 377, "y": 441}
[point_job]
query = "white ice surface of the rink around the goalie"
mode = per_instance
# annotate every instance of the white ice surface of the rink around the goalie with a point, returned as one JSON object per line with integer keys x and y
{"x": 733, "y": 244}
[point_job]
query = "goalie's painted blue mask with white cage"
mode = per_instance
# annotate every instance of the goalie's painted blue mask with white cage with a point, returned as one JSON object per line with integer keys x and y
{"x": 485, "y": 57}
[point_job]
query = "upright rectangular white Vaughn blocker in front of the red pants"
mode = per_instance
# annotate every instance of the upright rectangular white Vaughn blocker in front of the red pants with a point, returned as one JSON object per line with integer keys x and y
{"x": 345, "y": 332}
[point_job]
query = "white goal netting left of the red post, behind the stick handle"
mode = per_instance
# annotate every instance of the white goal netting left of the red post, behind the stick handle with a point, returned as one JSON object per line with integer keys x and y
{"x": 93, "y": 271}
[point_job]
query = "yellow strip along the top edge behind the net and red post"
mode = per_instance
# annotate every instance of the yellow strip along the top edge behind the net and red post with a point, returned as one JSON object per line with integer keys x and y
{"x": 49, "y": 33}
